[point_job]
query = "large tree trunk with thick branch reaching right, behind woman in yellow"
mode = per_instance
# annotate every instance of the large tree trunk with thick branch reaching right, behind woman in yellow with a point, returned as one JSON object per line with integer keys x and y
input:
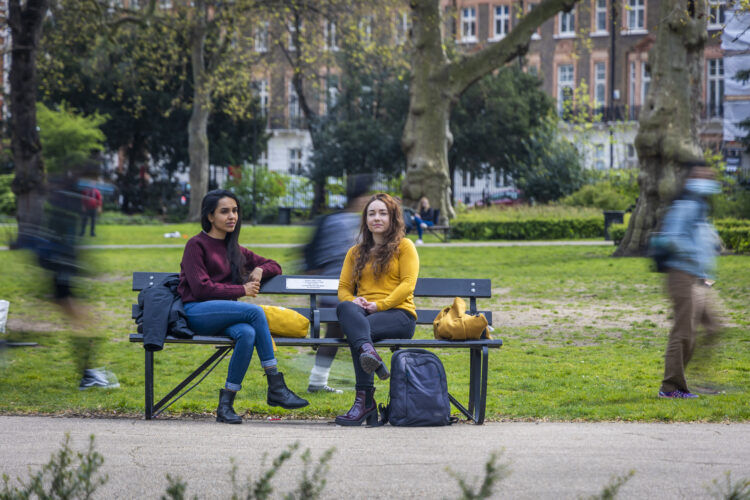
{"x": 437, "y": 83}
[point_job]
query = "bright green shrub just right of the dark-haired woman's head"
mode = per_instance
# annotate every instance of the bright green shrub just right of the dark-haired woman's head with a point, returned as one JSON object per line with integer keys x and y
{"x": 267, "y": 187}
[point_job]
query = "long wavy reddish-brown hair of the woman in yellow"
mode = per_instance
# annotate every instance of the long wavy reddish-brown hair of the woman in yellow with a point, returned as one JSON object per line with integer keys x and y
{"x": 380, "y": 256}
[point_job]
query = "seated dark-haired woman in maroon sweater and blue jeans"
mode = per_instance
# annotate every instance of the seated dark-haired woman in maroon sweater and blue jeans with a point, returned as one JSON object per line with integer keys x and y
{"x": 215, "y": 272}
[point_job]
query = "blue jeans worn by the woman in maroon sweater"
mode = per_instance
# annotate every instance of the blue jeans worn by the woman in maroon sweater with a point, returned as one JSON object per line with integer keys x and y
{"x": 244, "y": 322}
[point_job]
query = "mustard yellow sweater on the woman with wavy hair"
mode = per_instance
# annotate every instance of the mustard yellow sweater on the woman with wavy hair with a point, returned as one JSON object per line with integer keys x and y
{"x": 394, "y": 289}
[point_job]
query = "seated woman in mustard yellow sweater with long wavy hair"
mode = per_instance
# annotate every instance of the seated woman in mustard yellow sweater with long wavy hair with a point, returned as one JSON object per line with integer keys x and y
{"x": 376, "y": 290}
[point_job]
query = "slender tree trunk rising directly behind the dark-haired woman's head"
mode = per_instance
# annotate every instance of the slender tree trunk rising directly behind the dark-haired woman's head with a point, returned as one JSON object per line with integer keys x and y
{"x": 198, "y": 125}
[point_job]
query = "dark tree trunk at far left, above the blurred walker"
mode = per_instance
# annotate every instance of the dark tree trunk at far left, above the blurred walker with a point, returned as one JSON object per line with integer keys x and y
{"x": 29, "y": 183}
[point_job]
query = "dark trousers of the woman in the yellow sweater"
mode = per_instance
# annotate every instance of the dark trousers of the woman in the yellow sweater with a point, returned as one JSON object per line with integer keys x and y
{"x": 361, "y": 328}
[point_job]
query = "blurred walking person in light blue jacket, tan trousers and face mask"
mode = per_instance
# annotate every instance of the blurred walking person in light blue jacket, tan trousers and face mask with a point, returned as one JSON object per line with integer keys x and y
{"x": 693, "y": 244}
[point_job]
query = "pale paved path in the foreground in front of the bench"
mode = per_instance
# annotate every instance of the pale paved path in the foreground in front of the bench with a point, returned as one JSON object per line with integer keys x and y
{"x": 548, "y": 460}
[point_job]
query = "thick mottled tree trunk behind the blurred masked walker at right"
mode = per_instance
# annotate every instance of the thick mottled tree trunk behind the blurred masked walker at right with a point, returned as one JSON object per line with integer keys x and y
{"x": 668, "y": 137}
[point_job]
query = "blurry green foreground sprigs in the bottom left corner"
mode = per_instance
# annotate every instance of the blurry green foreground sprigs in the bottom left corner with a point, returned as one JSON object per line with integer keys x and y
{"x": 65, "y": 476}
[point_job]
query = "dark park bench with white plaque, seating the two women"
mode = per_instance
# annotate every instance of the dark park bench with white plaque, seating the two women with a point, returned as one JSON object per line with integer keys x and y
{"x": 313, "y": 287}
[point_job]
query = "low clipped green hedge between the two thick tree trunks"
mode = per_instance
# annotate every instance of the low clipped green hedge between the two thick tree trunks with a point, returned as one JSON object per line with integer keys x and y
{"x": 530, "y": 229}
